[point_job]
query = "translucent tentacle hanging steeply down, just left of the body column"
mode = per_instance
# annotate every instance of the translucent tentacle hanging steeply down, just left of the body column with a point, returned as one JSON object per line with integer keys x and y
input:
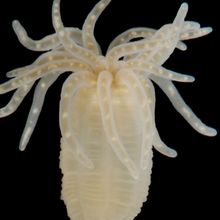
{"x": 36, "y": 107}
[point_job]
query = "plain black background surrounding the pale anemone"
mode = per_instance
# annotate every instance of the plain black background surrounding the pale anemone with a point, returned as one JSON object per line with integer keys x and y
{"x": 184, "y": 187}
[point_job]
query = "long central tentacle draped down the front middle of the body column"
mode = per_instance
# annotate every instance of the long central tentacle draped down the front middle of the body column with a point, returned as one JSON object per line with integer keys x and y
{"x": 104, "y": 96}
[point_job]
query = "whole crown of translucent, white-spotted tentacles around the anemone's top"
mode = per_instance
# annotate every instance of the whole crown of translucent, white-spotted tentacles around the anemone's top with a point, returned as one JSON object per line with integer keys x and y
{"x": 143, "y": 52}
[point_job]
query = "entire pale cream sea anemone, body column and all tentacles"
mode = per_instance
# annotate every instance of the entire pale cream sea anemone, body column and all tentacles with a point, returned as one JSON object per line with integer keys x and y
{"x": 107, "y": 105}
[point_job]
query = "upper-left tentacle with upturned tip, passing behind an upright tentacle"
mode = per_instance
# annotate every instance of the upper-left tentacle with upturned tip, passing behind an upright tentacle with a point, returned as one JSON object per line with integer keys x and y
{"x": 49, "y": 42}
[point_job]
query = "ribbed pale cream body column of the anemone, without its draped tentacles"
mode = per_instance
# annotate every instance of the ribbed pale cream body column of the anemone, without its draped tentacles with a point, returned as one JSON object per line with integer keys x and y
{"x": 107, "y": 191}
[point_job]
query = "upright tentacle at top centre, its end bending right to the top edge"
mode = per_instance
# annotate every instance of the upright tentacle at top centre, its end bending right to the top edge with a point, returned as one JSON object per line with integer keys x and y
{"x": 89, "y": 41}
